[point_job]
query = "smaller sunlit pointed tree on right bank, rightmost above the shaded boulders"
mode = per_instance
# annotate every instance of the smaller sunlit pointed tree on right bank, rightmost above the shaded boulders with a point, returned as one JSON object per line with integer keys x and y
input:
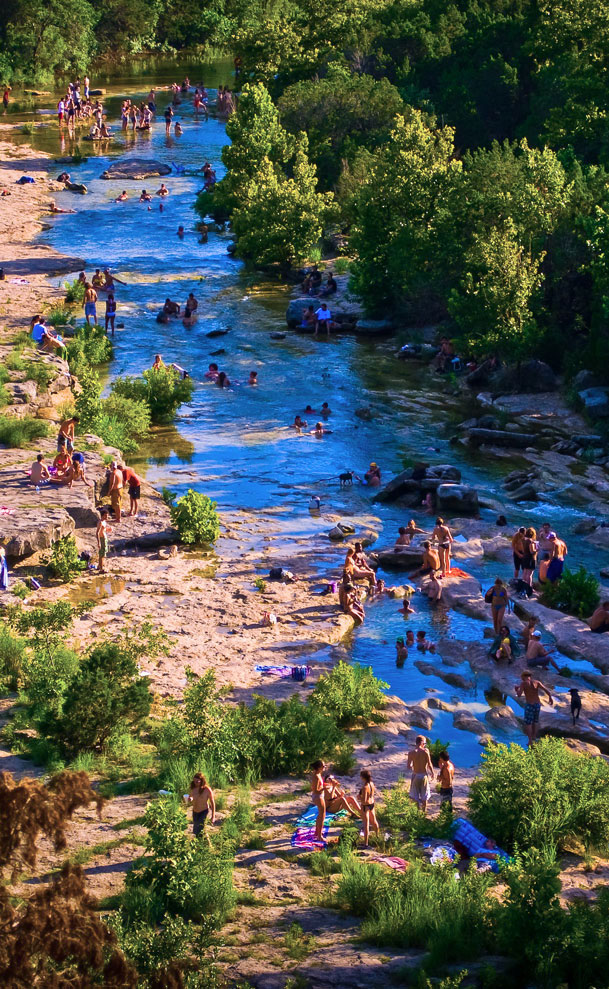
{"x": 492, "y": 306}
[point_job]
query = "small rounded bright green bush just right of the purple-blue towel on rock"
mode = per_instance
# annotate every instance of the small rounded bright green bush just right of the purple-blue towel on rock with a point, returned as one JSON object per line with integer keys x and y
{"x": 350, "y": 693}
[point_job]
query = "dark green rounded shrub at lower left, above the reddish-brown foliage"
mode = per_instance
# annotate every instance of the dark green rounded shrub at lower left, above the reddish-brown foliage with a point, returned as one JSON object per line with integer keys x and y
{"x": 106, "y": 698}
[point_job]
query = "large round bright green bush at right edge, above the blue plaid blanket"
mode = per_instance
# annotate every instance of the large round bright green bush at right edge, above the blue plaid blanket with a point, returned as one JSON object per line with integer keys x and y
{"x": 545, "y": 795}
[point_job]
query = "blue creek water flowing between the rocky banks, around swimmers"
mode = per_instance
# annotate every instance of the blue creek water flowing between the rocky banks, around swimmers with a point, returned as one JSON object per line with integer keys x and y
{"x": 234, "y": 444}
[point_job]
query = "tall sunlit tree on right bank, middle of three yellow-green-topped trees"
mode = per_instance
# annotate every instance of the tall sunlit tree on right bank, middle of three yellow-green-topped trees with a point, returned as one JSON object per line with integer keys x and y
{"x": 402, "y": 216}
